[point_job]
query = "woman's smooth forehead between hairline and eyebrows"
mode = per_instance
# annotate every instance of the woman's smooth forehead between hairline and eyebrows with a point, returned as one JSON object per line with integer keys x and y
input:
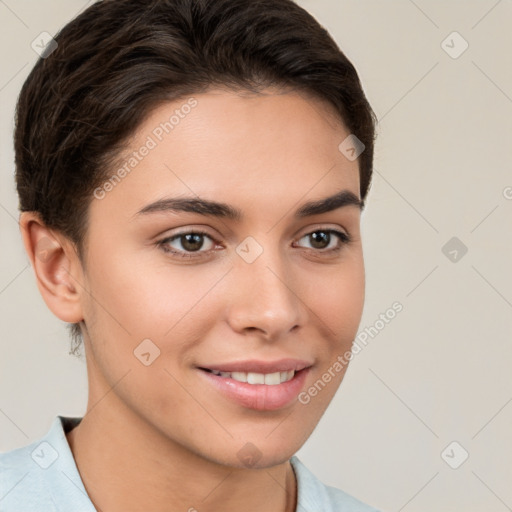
{"x": 235, "y": 147}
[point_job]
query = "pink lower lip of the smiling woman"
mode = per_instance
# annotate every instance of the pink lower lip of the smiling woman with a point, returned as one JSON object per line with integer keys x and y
{"x": 261, "y": 397}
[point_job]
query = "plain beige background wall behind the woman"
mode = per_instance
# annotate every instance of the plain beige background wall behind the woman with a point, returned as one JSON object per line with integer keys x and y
{"x": 440, "y": 370}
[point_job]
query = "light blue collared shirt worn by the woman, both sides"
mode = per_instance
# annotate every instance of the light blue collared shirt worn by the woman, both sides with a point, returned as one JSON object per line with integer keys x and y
{"x": 43, "y": 477}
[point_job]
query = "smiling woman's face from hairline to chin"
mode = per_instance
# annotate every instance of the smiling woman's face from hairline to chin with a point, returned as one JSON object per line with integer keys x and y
{"x": 176, "y": 292}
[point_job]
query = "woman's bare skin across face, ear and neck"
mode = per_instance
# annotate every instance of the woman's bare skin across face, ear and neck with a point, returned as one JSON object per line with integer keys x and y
{"x": 160, "y": 437}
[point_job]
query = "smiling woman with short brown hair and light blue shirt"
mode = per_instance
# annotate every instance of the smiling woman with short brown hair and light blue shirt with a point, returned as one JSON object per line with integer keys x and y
{"x": 191, "y": 176}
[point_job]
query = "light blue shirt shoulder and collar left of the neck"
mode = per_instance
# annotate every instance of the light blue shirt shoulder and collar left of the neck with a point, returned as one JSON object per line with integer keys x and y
{"x": 42, "y": 476}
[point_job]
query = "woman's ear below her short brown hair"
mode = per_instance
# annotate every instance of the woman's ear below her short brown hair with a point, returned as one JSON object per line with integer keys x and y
{"x": 57, "y": 268}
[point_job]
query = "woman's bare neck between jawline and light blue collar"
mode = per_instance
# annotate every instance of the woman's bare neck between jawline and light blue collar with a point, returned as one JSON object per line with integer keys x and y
{"x": 126, "y": 464}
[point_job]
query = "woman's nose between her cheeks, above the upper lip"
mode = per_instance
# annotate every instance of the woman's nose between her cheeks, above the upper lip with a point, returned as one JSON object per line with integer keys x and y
{"x": 264, "y": 297}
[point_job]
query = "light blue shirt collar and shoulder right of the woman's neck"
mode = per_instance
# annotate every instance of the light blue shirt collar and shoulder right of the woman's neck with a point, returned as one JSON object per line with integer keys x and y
{"x": 314, "y": 495}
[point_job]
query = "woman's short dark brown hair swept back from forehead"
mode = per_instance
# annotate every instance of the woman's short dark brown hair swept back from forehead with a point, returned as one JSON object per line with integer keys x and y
{"x": 120, "y": 59}
